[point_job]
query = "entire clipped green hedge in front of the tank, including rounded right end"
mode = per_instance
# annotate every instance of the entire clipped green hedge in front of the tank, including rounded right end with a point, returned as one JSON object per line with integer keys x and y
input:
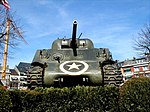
{"x": 133, "y": 96}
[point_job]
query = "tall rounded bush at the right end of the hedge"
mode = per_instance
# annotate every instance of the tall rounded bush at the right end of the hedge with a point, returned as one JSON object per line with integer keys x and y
{"x": 135, "y": 95}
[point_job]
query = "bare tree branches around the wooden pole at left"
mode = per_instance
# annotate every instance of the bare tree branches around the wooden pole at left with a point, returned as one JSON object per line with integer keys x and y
{"x": 14, "y": 33}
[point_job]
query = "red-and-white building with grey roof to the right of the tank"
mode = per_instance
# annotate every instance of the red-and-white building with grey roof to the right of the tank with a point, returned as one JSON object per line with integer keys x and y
{"x": 139, "y": 67}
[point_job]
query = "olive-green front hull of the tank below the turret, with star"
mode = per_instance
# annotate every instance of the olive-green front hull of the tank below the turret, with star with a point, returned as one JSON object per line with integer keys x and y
{"x": 70, "y": 66}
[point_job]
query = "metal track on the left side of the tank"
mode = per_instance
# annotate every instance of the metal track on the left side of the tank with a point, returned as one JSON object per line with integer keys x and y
{"x": 35, "y": 77}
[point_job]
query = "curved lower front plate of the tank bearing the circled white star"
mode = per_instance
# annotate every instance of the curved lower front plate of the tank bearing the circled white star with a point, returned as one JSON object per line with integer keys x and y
{"x": 74, "y": 68}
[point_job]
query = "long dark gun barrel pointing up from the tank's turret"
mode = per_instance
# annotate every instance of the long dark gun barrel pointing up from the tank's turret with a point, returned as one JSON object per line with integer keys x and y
{"x": 73, "y": 42}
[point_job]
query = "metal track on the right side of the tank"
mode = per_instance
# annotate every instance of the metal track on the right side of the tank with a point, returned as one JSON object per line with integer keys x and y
{"x": 112, "y": 76}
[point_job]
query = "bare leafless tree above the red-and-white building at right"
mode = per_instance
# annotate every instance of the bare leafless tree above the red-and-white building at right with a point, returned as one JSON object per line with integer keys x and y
{"x": 142, "y": 42}
